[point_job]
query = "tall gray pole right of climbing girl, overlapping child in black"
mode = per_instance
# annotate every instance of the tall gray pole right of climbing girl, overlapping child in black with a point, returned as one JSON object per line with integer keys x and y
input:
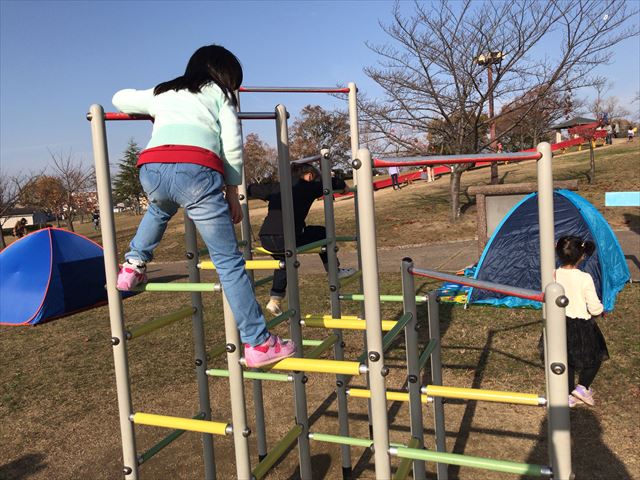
{"x": 293, "y": 294}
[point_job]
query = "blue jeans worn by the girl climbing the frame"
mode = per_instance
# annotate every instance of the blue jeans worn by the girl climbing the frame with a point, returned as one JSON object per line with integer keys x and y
{"x": 198, "y": 190}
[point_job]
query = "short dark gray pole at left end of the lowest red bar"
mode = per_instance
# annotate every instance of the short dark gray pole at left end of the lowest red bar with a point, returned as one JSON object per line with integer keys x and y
{"x": 413, "y": 365}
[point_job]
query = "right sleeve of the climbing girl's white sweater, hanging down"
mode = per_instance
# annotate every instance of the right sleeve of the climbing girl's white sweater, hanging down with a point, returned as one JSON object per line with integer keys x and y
{"x": 231, "y": 140}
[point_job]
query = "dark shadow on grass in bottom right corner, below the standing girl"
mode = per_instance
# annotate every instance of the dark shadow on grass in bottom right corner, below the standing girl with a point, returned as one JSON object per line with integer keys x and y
{"x": 590, "y": 456}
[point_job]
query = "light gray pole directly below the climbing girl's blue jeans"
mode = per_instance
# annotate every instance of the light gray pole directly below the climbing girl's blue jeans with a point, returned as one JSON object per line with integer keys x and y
{"x": 236, "y": 387}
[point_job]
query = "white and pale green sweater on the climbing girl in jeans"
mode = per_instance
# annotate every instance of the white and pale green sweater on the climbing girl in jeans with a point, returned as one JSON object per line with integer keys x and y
{"x": 206, "y": 119}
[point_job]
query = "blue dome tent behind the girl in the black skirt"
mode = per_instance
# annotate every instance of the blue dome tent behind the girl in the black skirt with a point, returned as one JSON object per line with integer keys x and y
{"x": 512, "y": 255}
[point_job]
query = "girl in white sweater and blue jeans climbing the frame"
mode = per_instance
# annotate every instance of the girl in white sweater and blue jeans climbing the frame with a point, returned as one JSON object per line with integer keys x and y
{"x": 194, "y": 161}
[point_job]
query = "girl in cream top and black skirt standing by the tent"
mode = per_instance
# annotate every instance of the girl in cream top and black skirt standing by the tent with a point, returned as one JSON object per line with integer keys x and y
{"x": 586, "y": 347}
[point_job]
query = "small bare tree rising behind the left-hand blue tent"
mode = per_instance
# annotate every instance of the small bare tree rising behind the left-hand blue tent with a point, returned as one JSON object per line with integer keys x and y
{"x": 75, "y": 178}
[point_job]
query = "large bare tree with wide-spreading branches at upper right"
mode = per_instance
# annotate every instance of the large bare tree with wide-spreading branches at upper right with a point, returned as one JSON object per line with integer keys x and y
{"x": 431, "y": 75}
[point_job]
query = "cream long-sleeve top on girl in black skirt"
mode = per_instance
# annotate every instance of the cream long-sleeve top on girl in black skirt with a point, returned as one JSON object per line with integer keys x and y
{"x": 581, "y": 292}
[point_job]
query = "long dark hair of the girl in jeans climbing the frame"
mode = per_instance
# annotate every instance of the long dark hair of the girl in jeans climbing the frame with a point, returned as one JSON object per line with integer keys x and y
{"x": 211, "y": 63}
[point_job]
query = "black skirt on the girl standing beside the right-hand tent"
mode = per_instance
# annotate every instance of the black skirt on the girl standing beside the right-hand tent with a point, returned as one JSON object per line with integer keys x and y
{"x": 586, "y": 347}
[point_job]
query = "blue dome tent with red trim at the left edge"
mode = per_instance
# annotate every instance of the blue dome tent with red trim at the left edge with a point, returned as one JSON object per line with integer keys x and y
{"x": 49, "y": 274}
